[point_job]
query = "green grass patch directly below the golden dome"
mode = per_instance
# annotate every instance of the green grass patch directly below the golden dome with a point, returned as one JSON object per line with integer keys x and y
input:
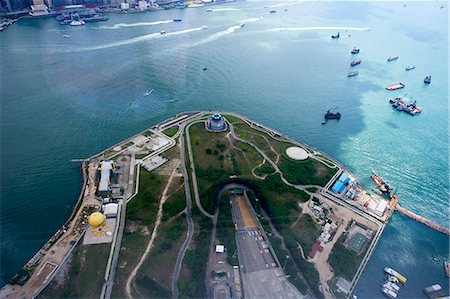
{"x": 85, "y": 274}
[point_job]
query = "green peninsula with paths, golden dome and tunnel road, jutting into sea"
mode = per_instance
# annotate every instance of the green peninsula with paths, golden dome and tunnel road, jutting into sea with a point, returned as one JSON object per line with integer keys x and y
{"x": 210, "y": 205}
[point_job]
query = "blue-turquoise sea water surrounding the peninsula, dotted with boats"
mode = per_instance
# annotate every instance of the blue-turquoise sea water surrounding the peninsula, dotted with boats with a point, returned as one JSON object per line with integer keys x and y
{"x": 65, "y": 98}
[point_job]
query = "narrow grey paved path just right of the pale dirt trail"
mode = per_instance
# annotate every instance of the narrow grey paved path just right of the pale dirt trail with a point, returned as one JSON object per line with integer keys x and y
{"x": 190, "y": 232}
